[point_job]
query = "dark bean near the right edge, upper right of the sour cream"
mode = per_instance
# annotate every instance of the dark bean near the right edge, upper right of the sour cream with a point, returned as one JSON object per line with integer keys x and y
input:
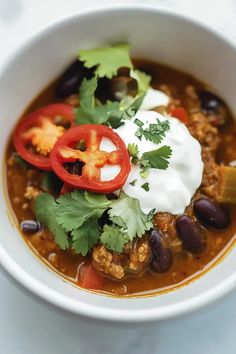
{"x": 214, "y": 106}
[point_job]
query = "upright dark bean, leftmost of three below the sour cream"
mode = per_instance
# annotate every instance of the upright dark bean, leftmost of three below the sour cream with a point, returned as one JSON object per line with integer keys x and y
{"x": 161, "y": 257}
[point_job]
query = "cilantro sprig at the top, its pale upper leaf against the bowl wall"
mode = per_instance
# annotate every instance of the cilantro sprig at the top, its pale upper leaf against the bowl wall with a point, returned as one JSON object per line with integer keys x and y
{"x": 107, "y": 61}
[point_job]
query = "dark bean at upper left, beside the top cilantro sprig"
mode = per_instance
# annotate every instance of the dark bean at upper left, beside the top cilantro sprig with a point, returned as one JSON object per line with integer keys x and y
{"x": 71, "y": 79}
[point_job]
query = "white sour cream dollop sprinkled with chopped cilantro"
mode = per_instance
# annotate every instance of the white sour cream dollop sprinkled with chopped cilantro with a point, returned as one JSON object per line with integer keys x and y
{"x": 170, "y": 190}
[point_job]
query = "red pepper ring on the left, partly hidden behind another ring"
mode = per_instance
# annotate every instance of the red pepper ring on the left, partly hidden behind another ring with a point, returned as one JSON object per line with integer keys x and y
{"x": 35, "y": 120}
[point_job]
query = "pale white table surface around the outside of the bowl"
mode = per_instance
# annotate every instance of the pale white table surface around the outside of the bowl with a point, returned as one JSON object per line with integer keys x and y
{"x": 29, "y": 327}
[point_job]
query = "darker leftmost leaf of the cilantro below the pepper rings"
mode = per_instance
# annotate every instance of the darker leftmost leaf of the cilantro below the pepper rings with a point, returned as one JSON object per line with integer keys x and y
{"x": 45, "y": 206}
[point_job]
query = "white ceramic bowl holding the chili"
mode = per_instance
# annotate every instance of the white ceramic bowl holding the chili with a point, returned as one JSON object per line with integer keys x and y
{"x": 159, "y": 35}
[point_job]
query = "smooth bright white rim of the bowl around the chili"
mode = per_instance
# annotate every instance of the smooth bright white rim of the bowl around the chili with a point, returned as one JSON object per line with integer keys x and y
{"x": 75, "y": 306}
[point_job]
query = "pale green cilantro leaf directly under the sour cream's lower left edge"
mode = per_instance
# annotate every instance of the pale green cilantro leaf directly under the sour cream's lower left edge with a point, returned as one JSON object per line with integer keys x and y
{"x": 126, "y": 213}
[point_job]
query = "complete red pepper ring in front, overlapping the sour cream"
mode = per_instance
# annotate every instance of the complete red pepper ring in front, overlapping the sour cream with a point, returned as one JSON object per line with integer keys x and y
{"x": 93, "y": 158}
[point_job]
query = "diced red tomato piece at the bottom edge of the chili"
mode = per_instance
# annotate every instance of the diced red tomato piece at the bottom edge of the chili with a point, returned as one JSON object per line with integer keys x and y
{"x": 90, "y": 279}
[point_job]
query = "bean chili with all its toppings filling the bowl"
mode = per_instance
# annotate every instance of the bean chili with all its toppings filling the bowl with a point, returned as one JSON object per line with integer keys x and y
{"x": 127, "y": 187}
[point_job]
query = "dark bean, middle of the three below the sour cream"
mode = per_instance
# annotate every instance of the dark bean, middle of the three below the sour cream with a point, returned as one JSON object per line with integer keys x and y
{"x": 190, "y": 233}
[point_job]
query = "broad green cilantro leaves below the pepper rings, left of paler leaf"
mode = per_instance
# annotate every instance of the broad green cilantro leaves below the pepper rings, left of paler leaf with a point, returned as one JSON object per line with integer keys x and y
{"x": 72, "y": 218}
